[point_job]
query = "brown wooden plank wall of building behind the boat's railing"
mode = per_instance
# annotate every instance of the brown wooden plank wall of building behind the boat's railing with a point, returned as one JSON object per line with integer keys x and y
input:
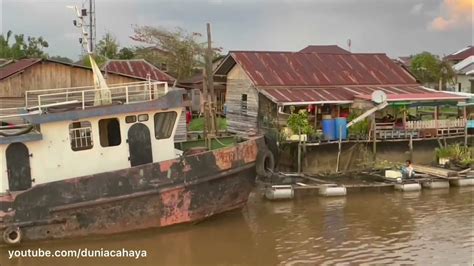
{"x": 50, "y": 75}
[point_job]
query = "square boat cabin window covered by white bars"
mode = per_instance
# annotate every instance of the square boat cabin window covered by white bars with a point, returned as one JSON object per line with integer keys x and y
{"x": 80, "y": 134}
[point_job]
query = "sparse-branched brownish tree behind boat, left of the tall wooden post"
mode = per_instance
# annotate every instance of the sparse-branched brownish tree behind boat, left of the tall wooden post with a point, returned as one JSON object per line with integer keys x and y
{"x": 178, "y": 49}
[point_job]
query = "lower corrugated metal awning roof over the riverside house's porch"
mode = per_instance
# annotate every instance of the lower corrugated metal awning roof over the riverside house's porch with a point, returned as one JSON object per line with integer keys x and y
{"x": 347, "y": 94}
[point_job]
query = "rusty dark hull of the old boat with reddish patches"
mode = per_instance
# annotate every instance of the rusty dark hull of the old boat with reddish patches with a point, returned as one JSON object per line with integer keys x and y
{"x": 183, "y": 190}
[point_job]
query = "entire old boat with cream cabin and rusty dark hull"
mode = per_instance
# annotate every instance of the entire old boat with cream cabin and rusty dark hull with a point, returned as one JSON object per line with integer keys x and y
{"x": 75, "y": 165}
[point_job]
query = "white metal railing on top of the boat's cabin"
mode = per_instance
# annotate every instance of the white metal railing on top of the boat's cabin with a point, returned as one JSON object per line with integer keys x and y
{"x": 86, "y": 97}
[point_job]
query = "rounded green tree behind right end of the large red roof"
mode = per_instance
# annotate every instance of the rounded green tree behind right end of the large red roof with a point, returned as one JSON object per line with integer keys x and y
{"x": 428, "y": 68}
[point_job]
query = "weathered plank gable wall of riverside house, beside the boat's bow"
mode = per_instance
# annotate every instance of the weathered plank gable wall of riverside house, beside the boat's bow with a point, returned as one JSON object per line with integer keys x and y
{"x": 238, "y": 83}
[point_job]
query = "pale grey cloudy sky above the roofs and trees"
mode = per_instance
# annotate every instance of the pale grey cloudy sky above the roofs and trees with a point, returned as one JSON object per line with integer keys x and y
{"x": 394, "y": 27}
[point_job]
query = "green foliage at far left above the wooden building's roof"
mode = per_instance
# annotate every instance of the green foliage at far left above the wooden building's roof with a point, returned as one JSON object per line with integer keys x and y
{"x": 31, "y": 47}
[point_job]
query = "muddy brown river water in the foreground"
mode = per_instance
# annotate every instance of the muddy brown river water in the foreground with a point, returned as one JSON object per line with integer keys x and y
{"x": 429, "y": 227}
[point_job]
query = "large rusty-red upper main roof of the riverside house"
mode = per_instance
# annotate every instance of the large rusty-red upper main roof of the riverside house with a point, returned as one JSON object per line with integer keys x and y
{"x": 313, "y": 69}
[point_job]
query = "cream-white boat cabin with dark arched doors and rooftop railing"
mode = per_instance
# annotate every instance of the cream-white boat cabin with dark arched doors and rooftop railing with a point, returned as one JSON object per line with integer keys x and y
{"x": 72, "y": 132}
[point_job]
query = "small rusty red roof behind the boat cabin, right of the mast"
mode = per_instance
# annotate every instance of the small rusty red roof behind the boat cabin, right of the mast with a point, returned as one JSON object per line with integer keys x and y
{"x": 139, "y": 68}
